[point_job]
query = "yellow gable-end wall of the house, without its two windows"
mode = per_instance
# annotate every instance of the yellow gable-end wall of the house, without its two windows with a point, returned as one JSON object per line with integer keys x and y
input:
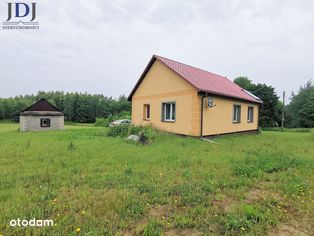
{"x": 160, "y": 85}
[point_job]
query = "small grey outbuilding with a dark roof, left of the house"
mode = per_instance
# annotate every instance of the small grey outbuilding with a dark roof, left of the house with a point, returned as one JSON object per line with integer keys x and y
{"x": 42, "y": 115}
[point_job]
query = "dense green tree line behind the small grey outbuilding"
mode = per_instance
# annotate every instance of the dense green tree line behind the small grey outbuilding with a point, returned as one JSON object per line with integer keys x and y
{"x": 77, "y": 107}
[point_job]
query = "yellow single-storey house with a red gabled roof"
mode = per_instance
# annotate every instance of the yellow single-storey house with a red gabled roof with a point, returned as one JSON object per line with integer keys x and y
{"x": 182, "y": 99}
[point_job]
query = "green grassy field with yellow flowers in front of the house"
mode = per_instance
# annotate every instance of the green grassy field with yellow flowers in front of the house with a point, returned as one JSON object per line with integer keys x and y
{"x": 90, "y": 184}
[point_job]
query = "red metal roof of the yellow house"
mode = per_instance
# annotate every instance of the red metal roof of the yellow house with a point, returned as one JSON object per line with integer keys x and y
{"x": 202, "y": 80}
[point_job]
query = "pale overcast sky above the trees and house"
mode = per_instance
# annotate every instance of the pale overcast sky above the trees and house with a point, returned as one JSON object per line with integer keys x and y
{"x": 102, "y": 47}
